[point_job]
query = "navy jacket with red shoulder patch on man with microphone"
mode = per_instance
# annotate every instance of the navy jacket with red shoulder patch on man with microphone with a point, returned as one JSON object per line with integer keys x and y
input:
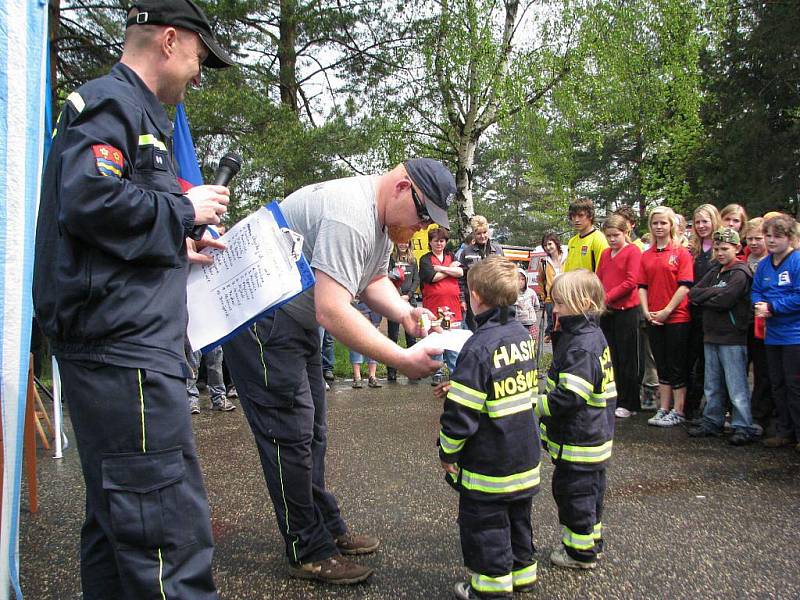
{"x": 111, "y": 266}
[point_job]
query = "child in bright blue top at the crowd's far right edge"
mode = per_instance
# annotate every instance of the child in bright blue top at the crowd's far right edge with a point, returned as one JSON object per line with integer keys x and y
{"x": 776, "y": 297}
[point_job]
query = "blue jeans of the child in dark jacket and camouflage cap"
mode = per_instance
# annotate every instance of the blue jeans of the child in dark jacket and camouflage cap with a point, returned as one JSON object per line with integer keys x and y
{"x": 726, "y": 368}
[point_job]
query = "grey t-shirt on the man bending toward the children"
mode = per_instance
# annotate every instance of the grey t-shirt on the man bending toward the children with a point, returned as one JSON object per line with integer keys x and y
{"x": 343, "y": 237}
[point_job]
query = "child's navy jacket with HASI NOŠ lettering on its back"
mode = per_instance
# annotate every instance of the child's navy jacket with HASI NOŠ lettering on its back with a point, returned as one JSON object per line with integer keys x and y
{"x": 488, "y": 426}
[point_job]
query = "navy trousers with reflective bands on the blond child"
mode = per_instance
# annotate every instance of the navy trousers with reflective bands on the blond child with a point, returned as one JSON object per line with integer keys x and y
{"x": 579, "y": 497}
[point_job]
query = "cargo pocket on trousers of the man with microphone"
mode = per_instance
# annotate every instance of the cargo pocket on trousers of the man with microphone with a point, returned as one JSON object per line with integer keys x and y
{"x": 147, "y": 498}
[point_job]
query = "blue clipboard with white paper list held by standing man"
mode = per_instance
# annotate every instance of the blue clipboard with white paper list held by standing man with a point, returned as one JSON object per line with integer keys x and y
{"x": 261, "y": 267}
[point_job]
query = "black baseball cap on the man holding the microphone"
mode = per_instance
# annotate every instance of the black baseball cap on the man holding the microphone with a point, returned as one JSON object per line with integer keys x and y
{"x": 186, "y": 15}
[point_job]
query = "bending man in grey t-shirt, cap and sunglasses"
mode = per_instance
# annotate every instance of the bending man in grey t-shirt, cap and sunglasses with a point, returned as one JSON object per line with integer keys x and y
{"x": 349, "y": 226}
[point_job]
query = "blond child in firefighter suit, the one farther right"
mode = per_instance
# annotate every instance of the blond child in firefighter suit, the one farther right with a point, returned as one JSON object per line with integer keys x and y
{"x": 577, "y": 417}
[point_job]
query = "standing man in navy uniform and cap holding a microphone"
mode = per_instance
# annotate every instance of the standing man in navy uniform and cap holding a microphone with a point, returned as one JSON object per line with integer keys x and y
{"x": 110, "y": 293}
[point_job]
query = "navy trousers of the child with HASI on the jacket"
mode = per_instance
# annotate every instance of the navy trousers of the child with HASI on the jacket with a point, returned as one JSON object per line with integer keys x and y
{"x": 497, "y": 541}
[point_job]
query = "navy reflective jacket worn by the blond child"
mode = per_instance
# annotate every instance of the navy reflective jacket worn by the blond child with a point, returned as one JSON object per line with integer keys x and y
{"x": 577, "y": 412}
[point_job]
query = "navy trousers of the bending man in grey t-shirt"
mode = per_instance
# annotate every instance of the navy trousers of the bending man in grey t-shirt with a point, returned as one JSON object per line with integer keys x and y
{"x": 276, "y": 367}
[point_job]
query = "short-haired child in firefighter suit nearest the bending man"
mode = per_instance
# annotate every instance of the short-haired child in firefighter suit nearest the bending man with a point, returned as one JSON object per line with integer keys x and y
{"x": 488, "y": 443}
